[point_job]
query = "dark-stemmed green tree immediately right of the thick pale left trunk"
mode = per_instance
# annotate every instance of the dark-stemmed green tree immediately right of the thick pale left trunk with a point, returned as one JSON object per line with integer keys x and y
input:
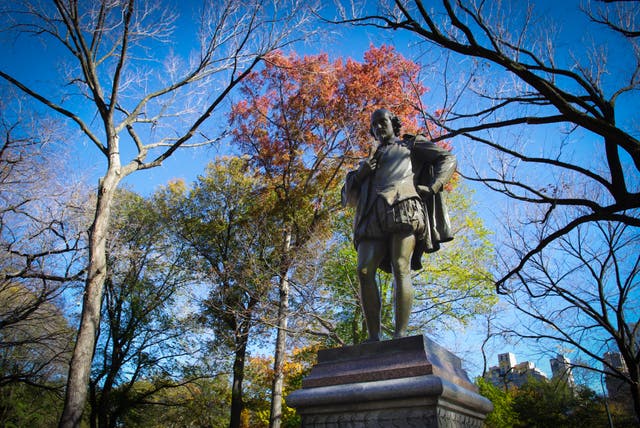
{"x": 143, "y": 335}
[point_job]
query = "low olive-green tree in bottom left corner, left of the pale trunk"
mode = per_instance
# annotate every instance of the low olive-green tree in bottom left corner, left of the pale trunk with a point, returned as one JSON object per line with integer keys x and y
{"x": 34, "y": 353}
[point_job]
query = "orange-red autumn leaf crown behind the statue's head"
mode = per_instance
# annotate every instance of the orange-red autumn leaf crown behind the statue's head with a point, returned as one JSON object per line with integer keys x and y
{"x": 302, "y": 118}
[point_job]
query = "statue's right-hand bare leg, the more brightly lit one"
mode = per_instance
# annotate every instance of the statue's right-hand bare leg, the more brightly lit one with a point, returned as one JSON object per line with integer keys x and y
{"x": 401, "y": 250}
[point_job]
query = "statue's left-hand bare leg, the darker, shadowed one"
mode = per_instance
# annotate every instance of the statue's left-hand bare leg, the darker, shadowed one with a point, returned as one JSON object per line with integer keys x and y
{"x": 370, "y": 254}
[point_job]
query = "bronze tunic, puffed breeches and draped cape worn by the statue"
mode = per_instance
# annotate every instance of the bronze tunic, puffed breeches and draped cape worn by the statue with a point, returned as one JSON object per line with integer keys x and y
{"x": 388, "y": 195}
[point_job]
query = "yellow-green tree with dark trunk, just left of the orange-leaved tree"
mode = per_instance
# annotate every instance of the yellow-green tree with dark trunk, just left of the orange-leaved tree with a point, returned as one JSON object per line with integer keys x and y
{"x": 224, "y": 221}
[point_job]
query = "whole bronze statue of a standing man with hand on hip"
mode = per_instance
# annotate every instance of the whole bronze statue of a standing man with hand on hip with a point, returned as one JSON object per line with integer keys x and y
{"x": 400, "y": 214}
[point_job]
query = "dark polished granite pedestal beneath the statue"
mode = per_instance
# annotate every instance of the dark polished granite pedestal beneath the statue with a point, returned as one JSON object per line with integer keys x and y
{"x": 408, "y": 382}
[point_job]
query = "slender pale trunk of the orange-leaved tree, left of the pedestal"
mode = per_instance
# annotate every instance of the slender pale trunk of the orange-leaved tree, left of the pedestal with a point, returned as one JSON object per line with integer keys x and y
{"x": 275, "y": 419}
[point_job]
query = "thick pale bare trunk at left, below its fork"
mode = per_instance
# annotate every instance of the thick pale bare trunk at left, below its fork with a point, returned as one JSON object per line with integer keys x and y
{"x": 80, "y": 366}
